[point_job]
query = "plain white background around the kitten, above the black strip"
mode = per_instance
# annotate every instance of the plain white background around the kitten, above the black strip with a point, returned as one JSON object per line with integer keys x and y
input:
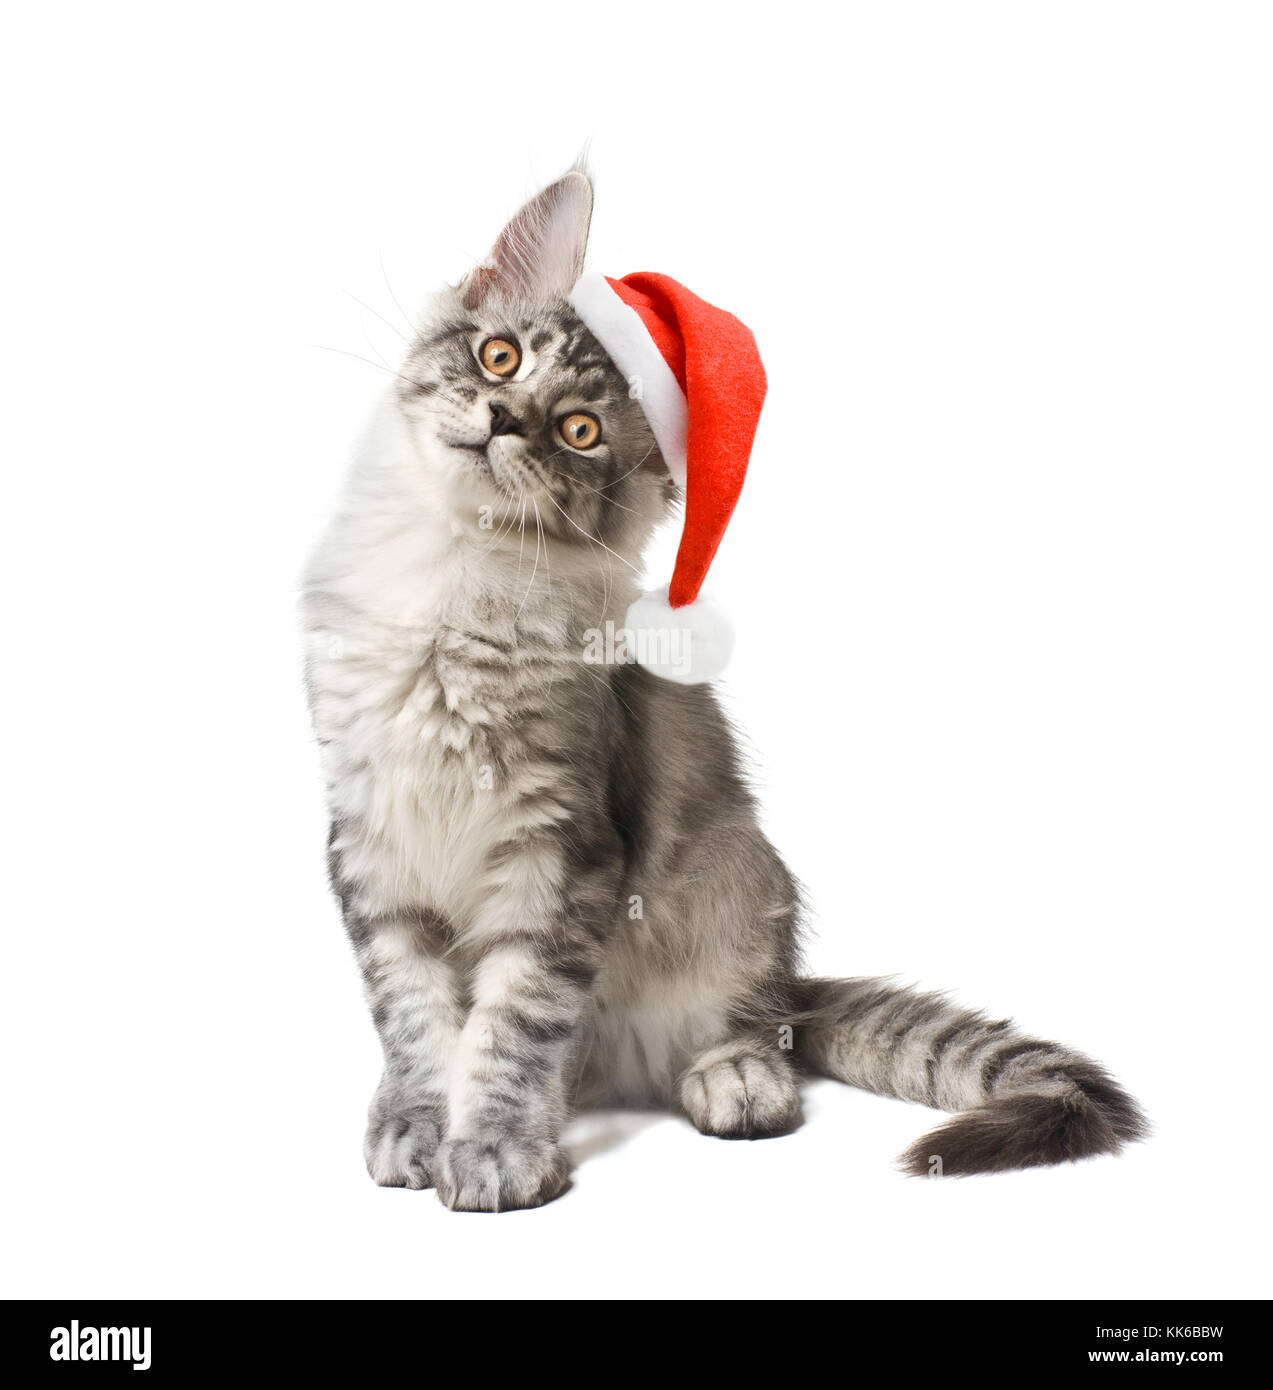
{"x": 1001, "y": 578}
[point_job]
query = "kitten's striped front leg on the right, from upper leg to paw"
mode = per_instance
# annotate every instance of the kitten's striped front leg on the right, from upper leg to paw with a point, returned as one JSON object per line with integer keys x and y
{"x": 536, "y": 949}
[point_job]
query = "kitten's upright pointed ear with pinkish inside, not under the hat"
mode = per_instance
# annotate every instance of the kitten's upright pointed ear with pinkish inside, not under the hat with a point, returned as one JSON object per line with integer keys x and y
{"x": 540, "y": 255}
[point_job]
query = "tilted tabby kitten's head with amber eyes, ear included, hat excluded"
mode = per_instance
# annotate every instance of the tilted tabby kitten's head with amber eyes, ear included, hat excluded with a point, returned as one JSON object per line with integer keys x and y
{"x": 518, "y": 411}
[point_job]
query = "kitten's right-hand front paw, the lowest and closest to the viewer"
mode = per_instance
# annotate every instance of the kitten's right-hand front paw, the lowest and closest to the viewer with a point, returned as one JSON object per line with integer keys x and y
{"x": 500, "y": 1172}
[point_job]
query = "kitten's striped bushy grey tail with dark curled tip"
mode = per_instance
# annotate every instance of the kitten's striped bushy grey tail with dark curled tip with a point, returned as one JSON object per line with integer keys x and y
{"x": 1017, "y": 1102}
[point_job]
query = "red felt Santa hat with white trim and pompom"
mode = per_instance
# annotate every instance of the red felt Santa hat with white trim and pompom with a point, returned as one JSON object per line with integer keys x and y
{"x": 701, "y": 384}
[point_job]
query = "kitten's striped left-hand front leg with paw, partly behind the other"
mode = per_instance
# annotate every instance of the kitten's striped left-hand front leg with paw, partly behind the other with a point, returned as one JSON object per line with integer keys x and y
{"x": 416, "y": 1003}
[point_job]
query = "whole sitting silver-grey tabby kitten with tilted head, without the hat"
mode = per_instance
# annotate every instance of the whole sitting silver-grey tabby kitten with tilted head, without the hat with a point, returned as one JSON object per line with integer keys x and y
{"x": 498, "y": 801}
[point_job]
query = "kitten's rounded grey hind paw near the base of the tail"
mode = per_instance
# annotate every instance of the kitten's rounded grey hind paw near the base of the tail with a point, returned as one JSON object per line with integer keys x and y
{"x": 743, "y": 1089}
